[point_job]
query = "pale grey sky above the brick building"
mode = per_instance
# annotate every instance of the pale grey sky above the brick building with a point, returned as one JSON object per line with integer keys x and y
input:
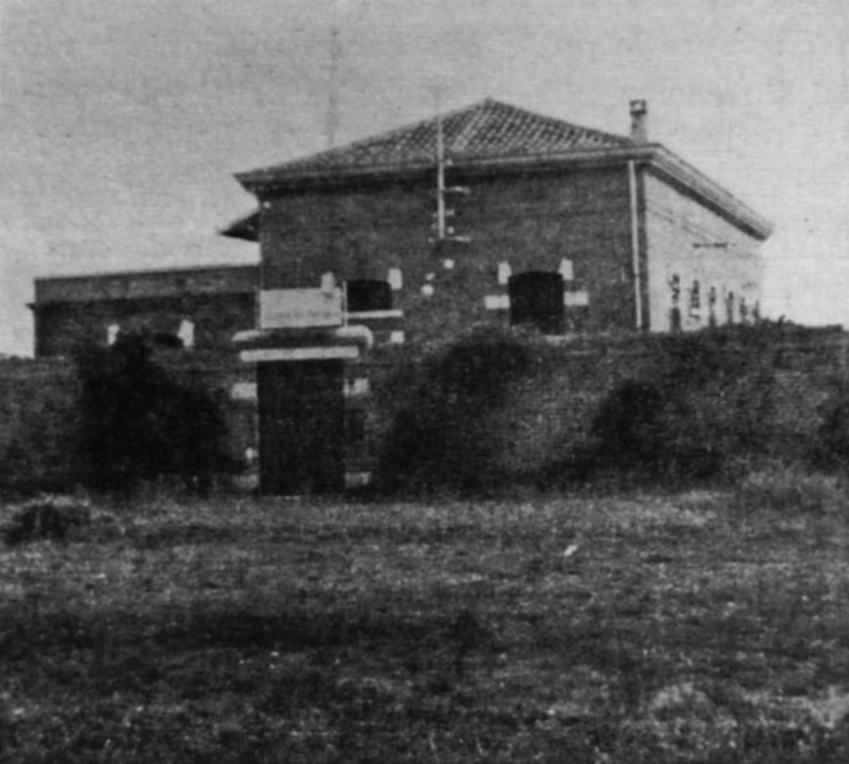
{"x": 121, "y": 124}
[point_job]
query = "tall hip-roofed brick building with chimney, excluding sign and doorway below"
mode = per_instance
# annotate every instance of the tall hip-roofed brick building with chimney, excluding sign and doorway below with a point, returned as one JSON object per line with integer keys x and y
{"x": 492, "y": 213}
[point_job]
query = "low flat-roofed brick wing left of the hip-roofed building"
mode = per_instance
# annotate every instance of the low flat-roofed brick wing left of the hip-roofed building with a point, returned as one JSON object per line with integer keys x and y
{"x": 199, "y": 308}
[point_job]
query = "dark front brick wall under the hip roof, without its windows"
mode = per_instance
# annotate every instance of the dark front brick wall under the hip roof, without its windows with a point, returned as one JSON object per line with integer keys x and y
{"x": 530, "y": 221}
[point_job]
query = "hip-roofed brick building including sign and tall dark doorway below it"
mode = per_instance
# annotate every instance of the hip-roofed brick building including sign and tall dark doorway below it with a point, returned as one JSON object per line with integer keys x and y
{"x": 485, "y": 215}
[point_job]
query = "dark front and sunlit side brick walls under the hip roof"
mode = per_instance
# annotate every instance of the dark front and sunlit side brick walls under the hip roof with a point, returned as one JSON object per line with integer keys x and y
{"x": 531, "y": 221}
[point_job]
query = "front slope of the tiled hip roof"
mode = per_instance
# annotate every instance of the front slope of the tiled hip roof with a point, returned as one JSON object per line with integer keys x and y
{"x": 485, "y": 130}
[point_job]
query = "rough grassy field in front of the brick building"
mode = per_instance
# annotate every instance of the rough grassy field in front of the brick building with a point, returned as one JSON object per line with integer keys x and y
{"x": 640, "y": 629}
